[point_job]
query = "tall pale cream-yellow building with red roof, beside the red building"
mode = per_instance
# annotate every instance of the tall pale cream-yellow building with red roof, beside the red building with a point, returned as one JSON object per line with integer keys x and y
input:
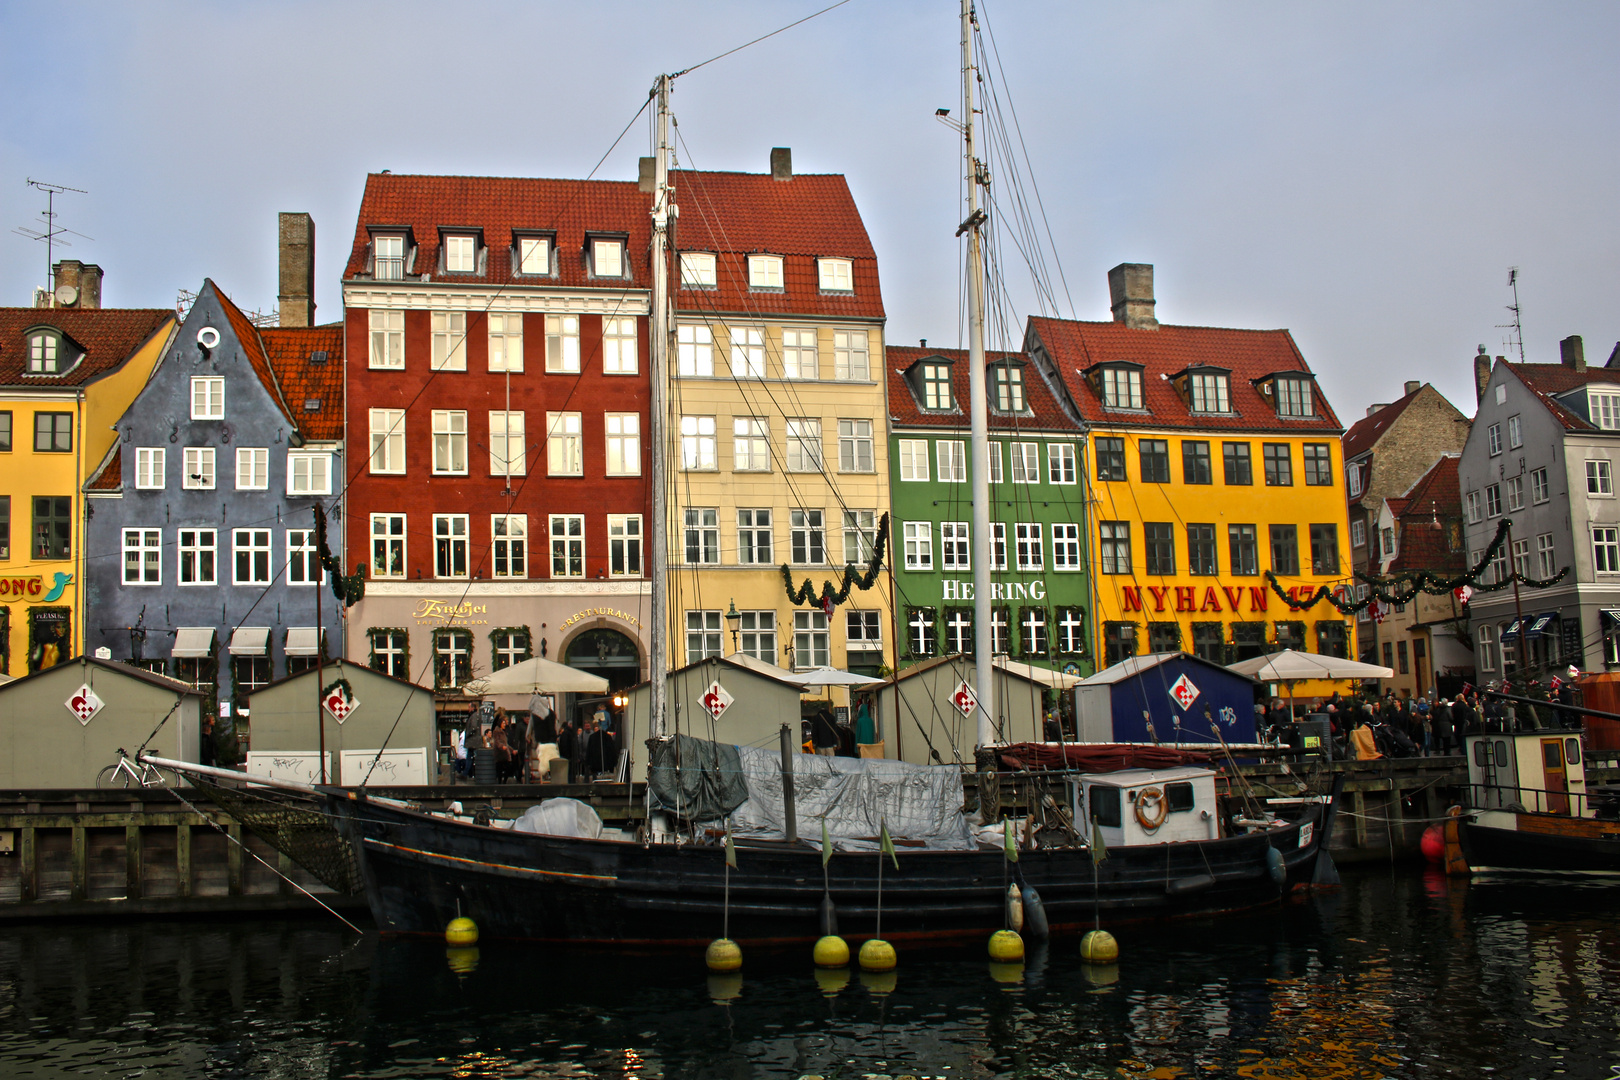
{"x": 777, "y": 422}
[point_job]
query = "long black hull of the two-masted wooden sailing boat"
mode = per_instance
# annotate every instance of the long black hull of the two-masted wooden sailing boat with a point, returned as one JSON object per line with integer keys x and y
{"x": 422, "y": 872}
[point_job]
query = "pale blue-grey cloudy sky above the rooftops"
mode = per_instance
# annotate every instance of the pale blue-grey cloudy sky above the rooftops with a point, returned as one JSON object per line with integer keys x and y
{"x": 1360, "y": 174}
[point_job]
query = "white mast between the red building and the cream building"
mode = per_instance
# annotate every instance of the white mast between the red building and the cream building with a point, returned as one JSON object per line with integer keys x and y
{"x": 662, "y": 330}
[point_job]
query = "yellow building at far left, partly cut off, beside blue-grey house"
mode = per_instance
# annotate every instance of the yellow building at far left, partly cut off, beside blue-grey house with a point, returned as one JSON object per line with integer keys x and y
{"x": 67, "y": 375}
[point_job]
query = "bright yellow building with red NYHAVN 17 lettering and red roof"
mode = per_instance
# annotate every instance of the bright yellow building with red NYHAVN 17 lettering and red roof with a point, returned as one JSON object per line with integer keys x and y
{"x": 1213, "y": 461}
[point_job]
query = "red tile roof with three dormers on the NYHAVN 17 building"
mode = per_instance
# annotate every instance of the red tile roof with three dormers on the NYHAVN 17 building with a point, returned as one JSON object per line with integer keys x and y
{"x": 1250, "y": 355}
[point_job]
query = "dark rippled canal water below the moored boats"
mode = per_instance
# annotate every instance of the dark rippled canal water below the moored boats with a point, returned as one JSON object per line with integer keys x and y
{"x": 1394, "y": 976}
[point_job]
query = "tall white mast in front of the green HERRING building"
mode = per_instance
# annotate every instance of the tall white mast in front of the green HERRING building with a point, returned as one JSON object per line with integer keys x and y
{"x": 979, "y": 394}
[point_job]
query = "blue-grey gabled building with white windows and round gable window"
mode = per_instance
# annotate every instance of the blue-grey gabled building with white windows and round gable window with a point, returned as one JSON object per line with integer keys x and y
{"x": 202, "y": 551}
